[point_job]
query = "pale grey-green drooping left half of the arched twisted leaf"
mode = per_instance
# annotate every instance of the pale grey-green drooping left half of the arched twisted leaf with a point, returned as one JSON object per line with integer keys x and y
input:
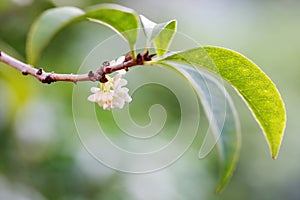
{"x": 45, "y": 27}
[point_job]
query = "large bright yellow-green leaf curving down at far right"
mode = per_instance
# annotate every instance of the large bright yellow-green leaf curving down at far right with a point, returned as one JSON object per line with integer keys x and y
{"x": 259, "y": 92}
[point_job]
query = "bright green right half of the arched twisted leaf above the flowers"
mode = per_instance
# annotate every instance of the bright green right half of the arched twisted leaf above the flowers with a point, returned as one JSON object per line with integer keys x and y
{"x": 121, "y": 19}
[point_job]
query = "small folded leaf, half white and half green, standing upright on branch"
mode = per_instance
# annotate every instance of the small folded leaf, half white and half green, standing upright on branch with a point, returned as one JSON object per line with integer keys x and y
{"x": 161, "y": 34}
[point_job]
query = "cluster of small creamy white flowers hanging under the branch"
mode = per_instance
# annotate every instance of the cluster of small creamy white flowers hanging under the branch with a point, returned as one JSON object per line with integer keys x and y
{"x": 111, "y": 94}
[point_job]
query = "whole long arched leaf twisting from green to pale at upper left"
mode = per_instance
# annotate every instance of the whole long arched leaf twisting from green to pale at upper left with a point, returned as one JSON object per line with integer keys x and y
{"x": 121, "y": 19}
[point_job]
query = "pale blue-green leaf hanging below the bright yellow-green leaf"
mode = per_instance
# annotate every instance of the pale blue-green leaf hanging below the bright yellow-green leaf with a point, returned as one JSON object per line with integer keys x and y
{"x": 222, "y": 115}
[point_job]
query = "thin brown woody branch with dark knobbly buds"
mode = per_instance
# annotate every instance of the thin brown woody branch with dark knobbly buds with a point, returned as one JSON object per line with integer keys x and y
{"x": 50, "y": 77}
